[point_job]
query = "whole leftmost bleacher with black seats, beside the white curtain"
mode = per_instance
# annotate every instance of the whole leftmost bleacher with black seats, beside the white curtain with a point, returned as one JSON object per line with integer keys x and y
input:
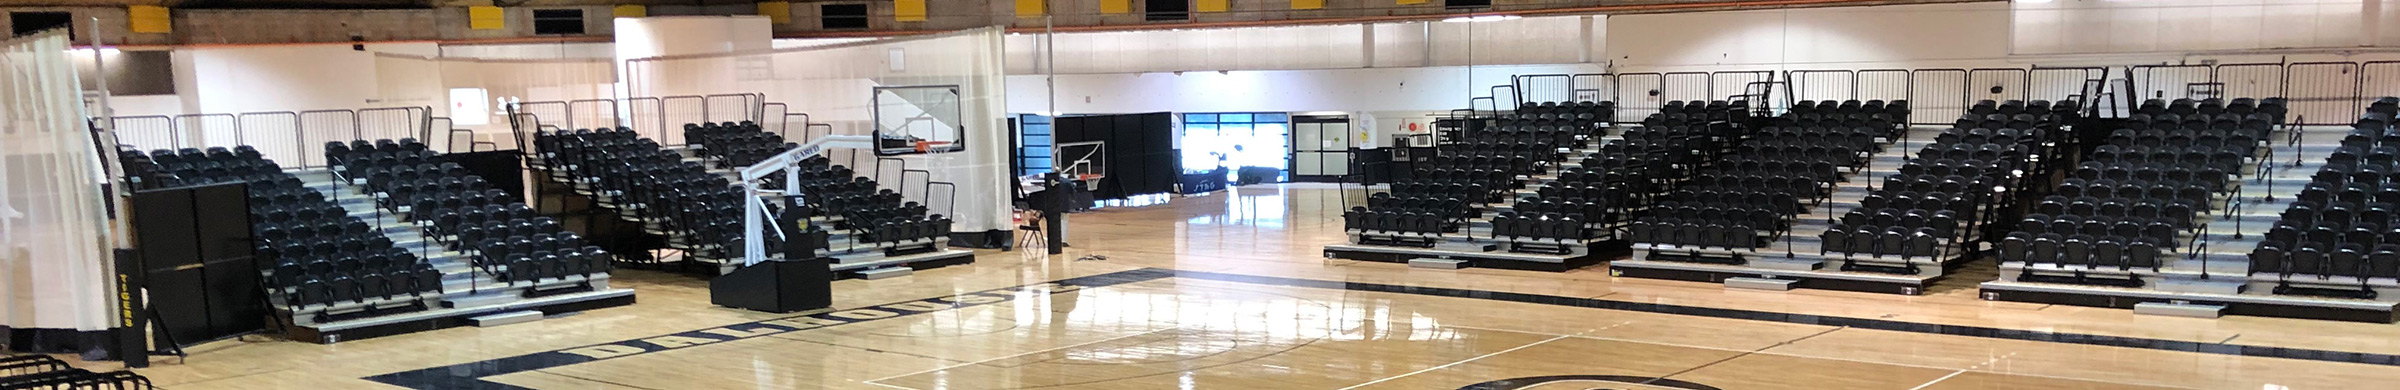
{"x": 342, "y": 259}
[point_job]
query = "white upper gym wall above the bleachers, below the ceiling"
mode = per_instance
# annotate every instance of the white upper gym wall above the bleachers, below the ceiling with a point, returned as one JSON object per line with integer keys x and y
{"x": 1410, "y": 66}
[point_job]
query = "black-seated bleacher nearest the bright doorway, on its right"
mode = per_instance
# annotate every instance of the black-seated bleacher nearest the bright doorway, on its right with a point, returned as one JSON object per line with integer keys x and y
{"x": 1528, "y": 189}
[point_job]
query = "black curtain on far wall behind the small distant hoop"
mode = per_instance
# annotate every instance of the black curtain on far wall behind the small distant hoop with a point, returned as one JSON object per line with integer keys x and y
{"x": 1141, "y": 150}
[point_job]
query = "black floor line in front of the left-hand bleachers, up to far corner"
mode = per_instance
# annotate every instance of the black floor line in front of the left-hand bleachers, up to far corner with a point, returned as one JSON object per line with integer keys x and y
{"x": 469, "y": 377}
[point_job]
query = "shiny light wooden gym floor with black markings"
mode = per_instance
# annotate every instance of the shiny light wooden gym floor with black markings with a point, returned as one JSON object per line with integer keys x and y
{"x": 1232, "y": 292}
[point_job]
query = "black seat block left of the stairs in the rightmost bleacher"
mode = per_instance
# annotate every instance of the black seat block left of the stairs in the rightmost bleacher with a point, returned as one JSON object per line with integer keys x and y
{"x": 2144, "y": 194}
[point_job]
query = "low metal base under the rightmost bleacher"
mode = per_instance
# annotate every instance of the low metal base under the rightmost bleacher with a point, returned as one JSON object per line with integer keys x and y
{"x": 2236, "y": 305}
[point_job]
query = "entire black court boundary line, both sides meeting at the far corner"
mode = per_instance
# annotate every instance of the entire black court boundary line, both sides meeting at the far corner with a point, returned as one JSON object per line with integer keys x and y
{"x": 469, "y": 377}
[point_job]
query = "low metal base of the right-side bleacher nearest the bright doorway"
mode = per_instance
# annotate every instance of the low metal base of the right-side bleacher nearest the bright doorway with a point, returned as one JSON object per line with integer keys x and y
{"x": 1484, "y": 256}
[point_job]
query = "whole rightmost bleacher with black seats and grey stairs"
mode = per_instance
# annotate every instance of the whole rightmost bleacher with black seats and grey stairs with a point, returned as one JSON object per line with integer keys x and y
{"x": 2262, "y": 237}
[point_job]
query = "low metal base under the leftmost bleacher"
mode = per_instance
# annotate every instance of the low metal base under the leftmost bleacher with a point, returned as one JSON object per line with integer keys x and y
{"x": 438, "y": 319}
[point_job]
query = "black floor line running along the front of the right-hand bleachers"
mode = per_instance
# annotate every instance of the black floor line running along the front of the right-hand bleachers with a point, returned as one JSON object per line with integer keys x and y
{"x": 1832, "y": 321}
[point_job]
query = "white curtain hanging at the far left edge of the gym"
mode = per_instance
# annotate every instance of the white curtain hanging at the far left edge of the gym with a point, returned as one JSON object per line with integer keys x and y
{"x": 54, "y": 232}
